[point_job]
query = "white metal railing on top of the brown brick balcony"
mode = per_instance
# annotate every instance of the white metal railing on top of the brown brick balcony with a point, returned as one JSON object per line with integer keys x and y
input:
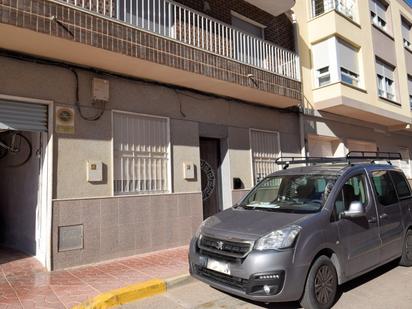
{"x": 183, "y": 24}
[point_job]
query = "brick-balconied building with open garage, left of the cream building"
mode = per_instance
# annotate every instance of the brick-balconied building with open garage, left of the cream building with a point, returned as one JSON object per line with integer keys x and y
{"x": 145, "y": 116}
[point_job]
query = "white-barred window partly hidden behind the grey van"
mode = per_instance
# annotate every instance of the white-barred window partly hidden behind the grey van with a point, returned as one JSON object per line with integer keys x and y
{"x": 265, "y": 150}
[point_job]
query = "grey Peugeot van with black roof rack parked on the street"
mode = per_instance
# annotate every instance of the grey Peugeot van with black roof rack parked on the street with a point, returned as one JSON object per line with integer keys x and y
{"x": 303, "y": 231}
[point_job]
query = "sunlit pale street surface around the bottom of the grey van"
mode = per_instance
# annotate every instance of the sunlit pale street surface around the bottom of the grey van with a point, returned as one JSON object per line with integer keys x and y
{"x": 389, "y": 287}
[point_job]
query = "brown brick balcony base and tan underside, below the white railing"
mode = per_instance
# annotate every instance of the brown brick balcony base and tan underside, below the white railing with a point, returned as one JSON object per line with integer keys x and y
{"x": 115, "y": 47}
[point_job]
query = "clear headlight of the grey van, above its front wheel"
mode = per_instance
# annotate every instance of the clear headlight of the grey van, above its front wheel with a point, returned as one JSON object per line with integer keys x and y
{"x": 279, "y": 239}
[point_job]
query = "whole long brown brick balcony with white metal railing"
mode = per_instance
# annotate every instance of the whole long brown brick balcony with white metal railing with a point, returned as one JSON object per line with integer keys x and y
{"x": 201, "y": 52}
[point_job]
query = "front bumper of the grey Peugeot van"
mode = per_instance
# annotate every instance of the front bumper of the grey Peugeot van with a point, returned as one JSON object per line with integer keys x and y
{"x": 266, "y": 276}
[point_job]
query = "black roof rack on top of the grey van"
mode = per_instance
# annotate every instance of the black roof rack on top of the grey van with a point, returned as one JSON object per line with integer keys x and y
{"x": 371, "y": 156}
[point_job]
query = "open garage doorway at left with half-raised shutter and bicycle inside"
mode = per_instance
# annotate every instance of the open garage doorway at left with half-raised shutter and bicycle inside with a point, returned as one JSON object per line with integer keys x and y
{"x": 25, "y": 182}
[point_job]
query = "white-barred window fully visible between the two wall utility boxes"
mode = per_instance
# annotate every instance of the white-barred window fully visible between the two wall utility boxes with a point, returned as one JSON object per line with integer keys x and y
{"x": 141, "y": 154}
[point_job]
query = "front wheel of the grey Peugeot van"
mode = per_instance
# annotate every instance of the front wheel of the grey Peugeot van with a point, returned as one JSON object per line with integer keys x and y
{"x": 321, "y": 285}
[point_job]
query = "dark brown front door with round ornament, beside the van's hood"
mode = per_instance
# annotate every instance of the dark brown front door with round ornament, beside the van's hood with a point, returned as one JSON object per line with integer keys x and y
{"x": 209, "y": 165}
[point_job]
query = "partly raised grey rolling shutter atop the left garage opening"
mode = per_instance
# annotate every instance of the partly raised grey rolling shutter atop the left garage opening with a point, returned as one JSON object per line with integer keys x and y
{"x": 23, "y": 116}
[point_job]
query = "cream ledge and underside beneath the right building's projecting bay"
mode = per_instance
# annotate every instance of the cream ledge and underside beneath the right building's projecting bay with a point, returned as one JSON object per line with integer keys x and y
{"x": 348, "y": 107}
